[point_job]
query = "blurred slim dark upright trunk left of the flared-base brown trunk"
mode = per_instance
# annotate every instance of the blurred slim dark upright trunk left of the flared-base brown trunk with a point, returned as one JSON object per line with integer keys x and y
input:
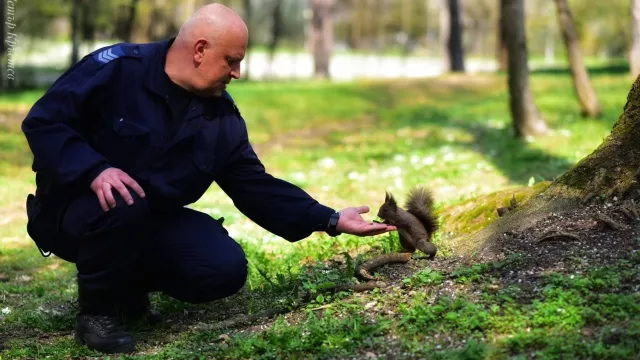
{"x": 451, "y": 36}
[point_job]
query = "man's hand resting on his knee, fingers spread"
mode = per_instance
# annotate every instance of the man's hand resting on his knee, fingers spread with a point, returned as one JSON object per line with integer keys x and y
{"x": 113, "y": 178}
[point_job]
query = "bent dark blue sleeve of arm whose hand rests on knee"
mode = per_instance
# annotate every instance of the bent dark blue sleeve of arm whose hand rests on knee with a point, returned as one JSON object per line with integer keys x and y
{"x": 60, "y": 151}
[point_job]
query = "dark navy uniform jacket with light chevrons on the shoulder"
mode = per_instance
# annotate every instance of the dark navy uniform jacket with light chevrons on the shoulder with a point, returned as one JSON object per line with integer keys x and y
{"x": 109, "y": 110}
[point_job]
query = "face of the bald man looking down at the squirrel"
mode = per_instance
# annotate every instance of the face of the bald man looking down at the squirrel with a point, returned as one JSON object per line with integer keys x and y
{"x": 219, "y": 64}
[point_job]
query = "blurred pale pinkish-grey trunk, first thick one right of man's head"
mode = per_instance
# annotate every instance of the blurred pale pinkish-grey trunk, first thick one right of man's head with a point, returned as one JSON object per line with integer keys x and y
{"x": 322, "y": 36}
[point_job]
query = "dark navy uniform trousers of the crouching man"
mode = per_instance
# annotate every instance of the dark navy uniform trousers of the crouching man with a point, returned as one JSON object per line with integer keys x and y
{"x": 133, "y": 249}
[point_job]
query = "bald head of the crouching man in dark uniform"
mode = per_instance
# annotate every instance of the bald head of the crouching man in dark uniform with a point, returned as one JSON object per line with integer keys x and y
{"x": 207, "y": 51}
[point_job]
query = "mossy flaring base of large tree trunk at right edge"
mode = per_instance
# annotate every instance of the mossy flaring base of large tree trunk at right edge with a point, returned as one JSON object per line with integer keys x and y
{"x": 611, "y": 170}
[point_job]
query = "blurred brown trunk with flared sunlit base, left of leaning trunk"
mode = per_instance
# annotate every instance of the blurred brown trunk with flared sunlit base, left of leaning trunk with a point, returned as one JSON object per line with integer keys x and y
{"x": 524, "y": 112}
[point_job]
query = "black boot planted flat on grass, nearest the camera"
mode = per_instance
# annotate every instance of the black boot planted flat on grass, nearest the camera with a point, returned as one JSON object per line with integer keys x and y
{"x": 98, "y": 326}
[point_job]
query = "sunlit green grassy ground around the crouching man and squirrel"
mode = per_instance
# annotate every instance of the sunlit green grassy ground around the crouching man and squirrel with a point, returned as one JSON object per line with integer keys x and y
{"x": 346, "y": 144}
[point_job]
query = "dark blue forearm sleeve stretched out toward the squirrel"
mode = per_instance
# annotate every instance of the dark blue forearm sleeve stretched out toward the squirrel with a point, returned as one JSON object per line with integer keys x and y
{"x": 276, "y": 205}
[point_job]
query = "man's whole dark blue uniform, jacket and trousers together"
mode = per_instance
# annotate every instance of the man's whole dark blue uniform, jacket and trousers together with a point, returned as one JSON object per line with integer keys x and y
{"x": 117, "y": 108}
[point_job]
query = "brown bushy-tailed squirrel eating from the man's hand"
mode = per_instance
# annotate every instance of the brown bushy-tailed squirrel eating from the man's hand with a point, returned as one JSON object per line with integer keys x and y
{"x": 417, "y": 224}
